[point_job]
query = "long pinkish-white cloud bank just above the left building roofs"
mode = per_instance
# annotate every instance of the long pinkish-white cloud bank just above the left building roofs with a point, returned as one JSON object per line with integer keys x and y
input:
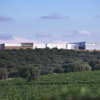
{"x": 18, "y": 40}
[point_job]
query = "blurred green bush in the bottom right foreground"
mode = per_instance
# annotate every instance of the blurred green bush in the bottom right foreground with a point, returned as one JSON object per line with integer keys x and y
{"x": 79, "y": 94}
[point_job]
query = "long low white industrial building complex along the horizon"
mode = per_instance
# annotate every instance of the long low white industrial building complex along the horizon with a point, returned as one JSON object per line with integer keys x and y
{"x": 74, "y": 46}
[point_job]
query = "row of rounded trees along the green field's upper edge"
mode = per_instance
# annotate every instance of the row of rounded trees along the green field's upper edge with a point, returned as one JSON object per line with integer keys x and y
{"x": 32, "y": 73}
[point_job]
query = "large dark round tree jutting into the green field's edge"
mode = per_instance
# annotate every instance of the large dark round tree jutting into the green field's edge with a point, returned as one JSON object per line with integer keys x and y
{"x": 29, "y": 73}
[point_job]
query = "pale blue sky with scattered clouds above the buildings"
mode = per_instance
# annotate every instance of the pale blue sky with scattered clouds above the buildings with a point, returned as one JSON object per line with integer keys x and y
{"x": 49, "y": 21}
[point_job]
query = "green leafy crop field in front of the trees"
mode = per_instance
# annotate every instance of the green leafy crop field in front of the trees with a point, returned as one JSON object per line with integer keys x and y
{"x": 48, "y": 85}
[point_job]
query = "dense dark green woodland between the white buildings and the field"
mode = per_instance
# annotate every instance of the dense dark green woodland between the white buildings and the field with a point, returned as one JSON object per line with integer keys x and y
{"x": 48, "y": 61}
